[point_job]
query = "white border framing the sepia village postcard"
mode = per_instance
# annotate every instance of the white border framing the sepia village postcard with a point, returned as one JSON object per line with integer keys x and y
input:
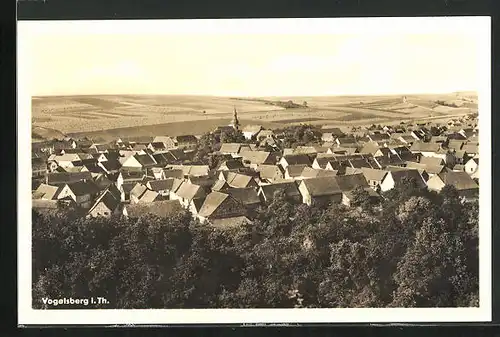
{"x": 479, "y": 26}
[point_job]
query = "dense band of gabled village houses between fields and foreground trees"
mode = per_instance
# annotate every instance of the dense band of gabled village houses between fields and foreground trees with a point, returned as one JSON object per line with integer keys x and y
{"x": 159, "y": 177}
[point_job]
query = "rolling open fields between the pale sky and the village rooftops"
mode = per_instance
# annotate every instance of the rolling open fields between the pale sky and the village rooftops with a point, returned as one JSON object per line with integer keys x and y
{"x": 122, "y": 115}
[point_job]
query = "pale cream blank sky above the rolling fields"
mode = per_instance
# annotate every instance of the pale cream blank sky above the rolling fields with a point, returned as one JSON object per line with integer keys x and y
{"x": 90, "y": 61}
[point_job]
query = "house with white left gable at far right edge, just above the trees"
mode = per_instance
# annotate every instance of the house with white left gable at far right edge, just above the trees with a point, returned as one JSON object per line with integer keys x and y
{"x": 465, "y": 185}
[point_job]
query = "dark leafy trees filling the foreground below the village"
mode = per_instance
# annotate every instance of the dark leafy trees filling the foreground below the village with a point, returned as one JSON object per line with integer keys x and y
{"x": 412, "y": 249}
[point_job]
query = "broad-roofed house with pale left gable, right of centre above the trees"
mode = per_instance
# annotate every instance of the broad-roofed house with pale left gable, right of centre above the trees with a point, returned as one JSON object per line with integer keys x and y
{"x": 320, "y": 190}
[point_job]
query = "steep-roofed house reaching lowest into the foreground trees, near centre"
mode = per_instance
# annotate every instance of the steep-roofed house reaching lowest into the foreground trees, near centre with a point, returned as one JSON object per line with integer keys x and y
{"x": 219, "y": 205}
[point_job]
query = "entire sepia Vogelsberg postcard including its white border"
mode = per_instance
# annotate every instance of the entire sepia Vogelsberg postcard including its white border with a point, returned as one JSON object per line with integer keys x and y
{"x": 271, "y": 170}
